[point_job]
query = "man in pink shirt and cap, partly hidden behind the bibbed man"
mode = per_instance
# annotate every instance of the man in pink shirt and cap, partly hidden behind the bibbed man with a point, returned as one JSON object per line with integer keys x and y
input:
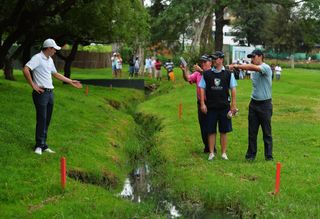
{"x": 194, "y": 78}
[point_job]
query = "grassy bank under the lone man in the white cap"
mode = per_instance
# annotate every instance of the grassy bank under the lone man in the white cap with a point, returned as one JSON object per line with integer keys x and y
{"x": 96, "y": 138}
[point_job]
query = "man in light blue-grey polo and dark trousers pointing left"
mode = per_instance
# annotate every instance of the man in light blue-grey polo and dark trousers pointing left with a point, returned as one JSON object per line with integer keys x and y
{"x": 260, "y": 107}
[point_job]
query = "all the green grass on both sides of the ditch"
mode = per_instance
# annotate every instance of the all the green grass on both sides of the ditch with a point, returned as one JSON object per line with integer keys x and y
{"x": 99, "y": 140}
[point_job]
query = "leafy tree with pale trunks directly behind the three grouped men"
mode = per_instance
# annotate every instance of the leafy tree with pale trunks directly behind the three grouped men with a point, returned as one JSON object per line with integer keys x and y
{"x": 191, "y": 18}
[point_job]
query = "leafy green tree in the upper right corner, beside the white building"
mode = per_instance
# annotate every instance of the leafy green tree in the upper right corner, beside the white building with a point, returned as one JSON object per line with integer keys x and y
{"x": 285, "y": 26}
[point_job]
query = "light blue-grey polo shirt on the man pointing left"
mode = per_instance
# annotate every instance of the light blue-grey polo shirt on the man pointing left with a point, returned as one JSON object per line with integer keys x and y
{"x": 262, "y": 83}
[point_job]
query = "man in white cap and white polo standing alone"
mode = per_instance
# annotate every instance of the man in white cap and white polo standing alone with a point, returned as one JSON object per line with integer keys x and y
{"x": 40, "y": 80}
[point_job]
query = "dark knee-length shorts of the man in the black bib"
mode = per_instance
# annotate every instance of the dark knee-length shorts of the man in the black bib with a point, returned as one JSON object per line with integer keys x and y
{"x": 215, "y": 117}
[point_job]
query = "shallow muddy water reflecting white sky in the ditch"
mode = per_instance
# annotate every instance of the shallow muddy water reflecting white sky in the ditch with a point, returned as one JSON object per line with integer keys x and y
{"x": 138, "y": 187}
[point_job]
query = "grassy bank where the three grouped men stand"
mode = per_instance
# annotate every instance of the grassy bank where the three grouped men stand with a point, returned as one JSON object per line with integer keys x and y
{"x": 237, "y": 186}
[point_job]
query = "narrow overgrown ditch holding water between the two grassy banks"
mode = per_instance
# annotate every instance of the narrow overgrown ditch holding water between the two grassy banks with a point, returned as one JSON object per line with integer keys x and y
{"x": 141, "y": 186}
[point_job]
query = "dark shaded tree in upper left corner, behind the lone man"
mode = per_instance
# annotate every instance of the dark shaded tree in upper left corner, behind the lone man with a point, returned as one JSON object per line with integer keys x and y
{"x": 19, "y": 18}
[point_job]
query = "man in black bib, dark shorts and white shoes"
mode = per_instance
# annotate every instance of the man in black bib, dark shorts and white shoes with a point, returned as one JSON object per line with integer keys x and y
{"x": 215, "y": 102}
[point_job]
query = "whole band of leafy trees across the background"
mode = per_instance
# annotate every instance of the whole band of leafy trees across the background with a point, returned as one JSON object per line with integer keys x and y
{"x": 279, "y": 25}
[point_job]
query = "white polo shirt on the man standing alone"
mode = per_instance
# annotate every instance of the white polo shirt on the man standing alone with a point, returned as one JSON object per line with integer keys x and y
{"x": 42, "y": 68}
